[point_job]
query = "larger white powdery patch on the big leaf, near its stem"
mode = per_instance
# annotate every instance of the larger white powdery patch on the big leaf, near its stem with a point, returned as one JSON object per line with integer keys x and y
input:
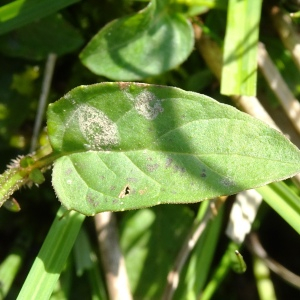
{"x": 98, "y": 130}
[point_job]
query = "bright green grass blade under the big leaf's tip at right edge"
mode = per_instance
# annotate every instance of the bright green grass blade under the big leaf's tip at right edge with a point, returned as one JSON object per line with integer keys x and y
{"x": 284, "y": 201}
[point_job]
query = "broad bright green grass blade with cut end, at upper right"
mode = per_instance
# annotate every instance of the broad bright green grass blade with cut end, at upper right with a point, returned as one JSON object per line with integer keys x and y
{"x": 240, "y": 49}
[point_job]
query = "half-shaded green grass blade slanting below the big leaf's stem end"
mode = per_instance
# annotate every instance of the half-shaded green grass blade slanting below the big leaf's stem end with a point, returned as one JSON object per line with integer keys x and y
{"x": 51, "y": 259}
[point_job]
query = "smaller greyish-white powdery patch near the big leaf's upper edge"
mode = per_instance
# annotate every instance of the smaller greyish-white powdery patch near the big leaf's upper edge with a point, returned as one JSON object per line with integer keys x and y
{"x": 147, "y": 105}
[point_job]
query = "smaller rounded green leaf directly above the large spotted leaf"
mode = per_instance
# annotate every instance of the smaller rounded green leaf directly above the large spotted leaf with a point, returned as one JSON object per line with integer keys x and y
{"x": 141, "y": 45}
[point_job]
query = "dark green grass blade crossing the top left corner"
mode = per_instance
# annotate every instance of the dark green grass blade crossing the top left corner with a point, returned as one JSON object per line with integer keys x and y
{"x": 21, "y": 12}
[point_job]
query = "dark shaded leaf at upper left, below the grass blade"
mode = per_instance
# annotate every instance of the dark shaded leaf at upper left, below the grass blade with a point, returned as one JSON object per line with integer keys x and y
{"x": 36, "y": 40}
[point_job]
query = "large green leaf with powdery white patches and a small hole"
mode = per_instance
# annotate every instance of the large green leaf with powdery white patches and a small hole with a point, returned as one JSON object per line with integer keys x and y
{"x": 132, "y": 145}
